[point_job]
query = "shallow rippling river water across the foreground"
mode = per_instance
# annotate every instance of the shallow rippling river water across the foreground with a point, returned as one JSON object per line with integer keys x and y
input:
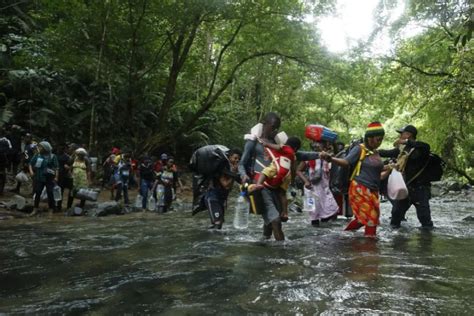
{"x": 170, "y": 264}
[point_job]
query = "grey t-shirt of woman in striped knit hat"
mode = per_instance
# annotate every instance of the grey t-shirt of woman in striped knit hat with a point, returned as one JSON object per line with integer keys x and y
{"x": 370, "y": 170}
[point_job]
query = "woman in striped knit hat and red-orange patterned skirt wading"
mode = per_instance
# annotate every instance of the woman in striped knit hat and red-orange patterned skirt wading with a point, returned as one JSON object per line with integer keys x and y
{"x": 365, "y": 180}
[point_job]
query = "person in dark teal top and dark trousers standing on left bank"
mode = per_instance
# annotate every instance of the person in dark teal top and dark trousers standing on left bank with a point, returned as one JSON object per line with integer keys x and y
{"x": 44, "y": 170}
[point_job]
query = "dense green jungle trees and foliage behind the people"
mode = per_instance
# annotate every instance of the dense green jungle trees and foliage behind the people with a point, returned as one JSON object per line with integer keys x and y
{"x": 164, "y": 74}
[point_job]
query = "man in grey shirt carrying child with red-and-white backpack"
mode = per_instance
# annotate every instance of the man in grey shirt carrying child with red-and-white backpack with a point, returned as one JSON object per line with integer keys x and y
{"x": 254, "y": 160}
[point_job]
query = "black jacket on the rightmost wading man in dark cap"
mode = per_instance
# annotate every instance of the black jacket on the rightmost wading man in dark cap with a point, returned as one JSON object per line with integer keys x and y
{"x": 416, "y": 161}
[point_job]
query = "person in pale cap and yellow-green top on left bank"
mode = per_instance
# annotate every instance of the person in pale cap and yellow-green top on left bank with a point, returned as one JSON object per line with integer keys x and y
{"x": 81, "y": 175}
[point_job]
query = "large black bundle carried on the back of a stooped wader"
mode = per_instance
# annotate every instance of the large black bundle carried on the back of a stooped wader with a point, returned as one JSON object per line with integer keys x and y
{"x": 209, "y": 159}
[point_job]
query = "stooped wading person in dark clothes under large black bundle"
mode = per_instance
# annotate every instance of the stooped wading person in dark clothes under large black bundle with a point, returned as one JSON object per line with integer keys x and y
{"x": 215, "y": 198}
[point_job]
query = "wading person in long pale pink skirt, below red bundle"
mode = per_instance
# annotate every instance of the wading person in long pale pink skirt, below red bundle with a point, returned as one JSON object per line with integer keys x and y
{"x": 315, "y": 175}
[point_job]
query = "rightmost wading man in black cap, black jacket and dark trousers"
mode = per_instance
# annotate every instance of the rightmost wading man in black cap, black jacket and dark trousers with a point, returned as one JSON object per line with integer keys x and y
{"x": 413, "y": 157}
